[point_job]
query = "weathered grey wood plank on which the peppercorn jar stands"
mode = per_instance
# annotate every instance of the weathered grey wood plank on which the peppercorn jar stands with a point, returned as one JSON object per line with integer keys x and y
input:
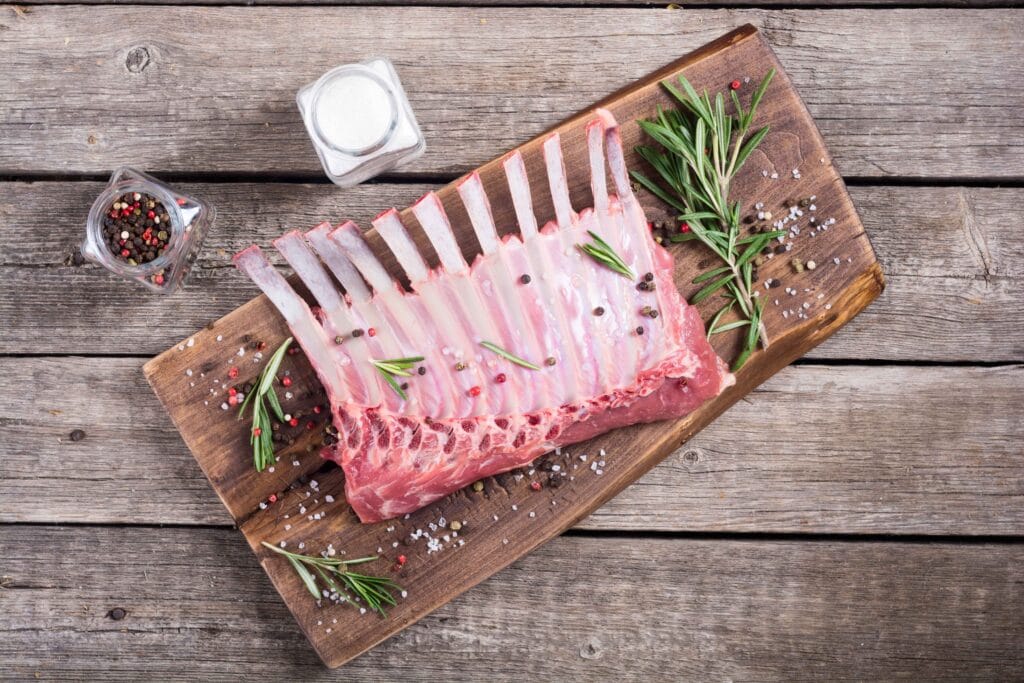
{"x": 953, "y": 258}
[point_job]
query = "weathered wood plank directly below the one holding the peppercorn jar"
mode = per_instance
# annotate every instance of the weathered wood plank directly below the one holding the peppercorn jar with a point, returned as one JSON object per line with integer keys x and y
{"x": 845, "y": 450}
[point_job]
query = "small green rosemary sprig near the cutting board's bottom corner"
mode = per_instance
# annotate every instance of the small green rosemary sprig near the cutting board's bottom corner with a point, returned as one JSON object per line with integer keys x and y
{"x": 375, "y": 592}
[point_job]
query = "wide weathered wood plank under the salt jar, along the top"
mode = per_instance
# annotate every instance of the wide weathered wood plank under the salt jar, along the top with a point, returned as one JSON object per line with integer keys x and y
{"x": 893, "y": 94}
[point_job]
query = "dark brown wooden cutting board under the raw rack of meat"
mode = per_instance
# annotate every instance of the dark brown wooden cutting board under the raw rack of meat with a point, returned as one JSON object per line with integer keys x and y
{"x": 509, "y": 519}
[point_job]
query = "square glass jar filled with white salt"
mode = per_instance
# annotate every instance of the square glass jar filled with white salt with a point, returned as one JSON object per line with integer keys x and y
{"x": 360, "y": 121}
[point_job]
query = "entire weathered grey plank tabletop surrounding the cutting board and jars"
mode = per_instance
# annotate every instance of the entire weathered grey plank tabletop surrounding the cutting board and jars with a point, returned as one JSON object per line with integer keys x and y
{"x": 860, "y": 517}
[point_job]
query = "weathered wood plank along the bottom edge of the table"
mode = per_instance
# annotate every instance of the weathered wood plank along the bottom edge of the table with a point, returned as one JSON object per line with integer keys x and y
{"x": 198, "y": 608}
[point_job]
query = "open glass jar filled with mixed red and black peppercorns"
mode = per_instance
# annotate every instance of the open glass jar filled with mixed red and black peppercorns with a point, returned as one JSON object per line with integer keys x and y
{"x": 145, "y": 231}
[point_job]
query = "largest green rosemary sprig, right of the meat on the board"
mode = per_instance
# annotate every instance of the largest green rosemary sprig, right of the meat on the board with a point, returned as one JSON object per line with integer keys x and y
{"x": 702, "y": 150}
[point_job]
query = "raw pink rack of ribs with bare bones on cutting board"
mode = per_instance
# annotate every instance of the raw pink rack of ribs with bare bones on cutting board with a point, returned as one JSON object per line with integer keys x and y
{"x": 474, "y": 413}
